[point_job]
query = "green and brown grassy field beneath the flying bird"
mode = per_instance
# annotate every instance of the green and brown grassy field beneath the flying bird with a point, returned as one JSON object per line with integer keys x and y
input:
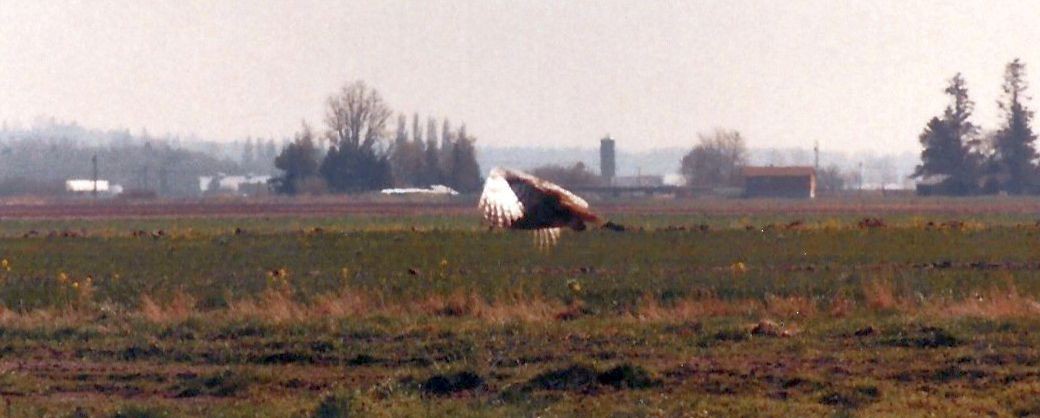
{"x": 775, "y": 309}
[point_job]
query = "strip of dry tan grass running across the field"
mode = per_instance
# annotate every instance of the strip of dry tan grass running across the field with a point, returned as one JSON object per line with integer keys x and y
{"x": 279, "y": 306}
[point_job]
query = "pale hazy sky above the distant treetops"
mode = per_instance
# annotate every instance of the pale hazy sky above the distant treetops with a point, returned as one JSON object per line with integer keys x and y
{"x": 856, "y": 75}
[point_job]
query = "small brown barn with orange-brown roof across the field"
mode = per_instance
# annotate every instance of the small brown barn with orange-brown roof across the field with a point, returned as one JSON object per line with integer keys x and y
{"x": 799, "y": 182}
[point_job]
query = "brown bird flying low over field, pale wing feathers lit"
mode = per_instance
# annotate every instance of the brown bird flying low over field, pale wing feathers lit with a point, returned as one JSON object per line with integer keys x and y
{"x": 519, "y": 201}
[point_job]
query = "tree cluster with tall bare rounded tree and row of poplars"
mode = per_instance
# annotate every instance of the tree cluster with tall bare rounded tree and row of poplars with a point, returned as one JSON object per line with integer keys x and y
{"x": 355, "y": 153}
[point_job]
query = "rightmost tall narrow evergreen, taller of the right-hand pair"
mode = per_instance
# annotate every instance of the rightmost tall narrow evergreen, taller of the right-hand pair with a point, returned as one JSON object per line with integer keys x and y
{"x": 1012, "y": 163}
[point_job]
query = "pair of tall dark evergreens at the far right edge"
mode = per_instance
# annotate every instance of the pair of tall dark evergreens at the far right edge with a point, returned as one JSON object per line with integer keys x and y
{"x": 959, "y": 159}
